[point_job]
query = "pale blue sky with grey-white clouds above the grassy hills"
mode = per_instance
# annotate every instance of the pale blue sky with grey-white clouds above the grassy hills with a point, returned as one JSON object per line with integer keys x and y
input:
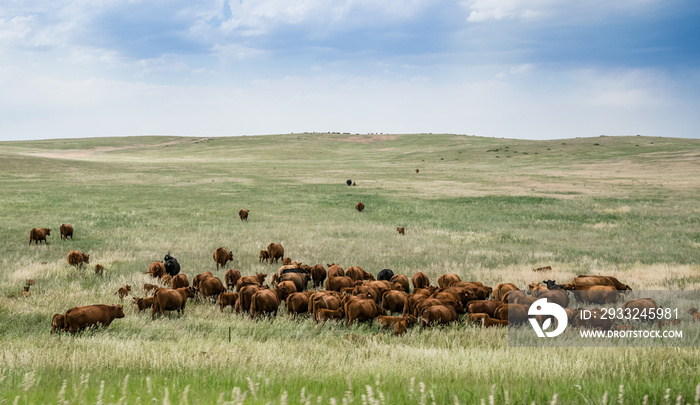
{"x": 531, "y": 69}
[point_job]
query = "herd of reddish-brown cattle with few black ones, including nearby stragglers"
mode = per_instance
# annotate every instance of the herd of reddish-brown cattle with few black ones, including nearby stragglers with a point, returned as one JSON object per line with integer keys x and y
{"x": 350, "y": 294}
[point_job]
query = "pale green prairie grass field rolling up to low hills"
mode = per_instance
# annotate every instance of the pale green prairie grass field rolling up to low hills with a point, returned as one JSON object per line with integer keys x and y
{"x": 487, "y": 209}
